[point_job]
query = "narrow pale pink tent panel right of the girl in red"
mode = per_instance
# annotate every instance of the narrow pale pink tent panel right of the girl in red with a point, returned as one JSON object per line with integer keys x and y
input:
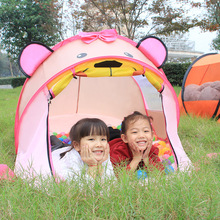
{"x": 169, "y": 107}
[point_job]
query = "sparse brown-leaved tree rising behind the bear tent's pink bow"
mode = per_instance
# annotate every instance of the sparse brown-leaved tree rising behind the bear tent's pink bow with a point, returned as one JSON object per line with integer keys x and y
{"x": 133, "y": 18}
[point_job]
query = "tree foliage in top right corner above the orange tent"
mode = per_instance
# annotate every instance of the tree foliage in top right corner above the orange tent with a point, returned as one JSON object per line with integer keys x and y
{"x": 210, "y": 20}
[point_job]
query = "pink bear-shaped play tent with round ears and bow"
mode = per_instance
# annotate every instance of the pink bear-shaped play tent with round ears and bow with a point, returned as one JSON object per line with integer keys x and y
{"x": 97, "y": 74}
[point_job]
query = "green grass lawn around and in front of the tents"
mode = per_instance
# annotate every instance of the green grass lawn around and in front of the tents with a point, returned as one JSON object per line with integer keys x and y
{"x": 180, "y": 196}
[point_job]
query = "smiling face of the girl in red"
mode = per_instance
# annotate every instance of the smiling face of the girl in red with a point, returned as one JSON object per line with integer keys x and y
{"x": 138, "y": 134}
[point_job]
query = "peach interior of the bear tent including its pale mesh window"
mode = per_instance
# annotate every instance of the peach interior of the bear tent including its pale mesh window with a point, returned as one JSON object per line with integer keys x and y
{"x": 108, "y": 98}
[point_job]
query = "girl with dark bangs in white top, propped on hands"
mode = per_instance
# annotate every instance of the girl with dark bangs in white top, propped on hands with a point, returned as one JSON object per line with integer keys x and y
{"x": 89, "y": 151}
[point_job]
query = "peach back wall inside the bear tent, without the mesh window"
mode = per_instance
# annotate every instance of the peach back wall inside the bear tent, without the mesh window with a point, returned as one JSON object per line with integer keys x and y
{"x": 96, "y": 101}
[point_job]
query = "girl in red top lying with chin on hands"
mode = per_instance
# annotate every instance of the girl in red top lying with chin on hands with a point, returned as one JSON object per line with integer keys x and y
{"x": 134, "y": 150}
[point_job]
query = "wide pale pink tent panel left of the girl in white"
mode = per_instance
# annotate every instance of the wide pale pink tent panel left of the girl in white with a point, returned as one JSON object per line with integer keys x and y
{"x": 32, "y": 155}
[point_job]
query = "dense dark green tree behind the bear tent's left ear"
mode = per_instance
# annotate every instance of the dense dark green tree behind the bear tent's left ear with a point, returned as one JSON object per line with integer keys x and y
{"x": 23, "y": 21}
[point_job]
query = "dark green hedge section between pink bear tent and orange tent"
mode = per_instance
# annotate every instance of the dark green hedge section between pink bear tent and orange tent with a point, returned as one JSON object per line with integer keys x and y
{"x": 175, "y": 72}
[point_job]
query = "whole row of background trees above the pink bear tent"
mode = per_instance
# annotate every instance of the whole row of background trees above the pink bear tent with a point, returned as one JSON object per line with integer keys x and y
{"x": 48, "y": 21}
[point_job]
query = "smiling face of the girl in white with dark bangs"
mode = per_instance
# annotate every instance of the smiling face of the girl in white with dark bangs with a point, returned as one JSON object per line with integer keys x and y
{"x": 96, "y": 143}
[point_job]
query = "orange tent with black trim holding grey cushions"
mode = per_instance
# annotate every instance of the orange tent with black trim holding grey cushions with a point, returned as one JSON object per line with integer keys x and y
{"x": 200, "y": 93}
